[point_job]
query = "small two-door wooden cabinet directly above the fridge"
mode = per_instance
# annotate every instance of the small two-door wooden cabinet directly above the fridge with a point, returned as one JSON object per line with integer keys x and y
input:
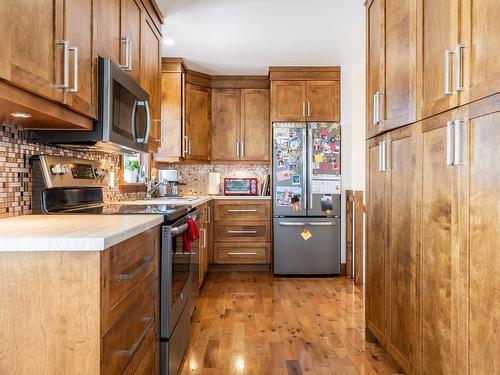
{"x": 305, "y": 100}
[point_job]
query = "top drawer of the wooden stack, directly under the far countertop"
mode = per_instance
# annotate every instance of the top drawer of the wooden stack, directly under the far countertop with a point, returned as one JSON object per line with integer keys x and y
{"x": 242, "y": 210}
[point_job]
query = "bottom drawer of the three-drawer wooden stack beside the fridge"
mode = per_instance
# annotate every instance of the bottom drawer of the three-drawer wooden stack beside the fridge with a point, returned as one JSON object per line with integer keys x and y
{"x": 241, "y": 253}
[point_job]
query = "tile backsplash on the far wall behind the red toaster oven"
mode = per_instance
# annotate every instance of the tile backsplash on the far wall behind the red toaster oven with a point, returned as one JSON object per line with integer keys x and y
{"x": 195, "y": 176}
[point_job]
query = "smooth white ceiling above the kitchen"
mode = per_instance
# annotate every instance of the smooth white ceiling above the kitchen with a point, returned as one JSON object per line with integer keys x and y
{"x": 248, "y": 36}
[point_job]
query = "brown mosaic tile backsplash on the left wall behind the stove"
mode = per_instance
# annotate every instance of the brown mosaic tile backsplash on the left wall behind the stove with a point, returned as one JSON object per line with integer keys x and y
{"x": 16, "y": 174}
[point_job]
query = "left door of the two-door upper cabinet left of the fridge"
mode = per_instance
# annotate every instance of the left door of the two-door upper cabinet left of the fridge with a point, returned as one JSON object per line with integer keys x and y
{"x": 226, "y": 124}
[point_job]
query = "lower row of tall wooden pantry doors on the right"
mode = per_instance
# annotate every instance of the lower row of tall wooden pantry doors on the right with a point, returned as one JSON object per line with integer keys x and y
{"x": 432, "y": 246}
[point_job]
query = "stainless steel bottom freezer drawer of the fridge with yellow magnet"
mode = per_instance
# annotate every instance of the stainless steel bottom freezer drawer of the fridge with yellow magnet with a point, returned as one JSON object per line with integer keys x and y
{"x": 319, "y": 255}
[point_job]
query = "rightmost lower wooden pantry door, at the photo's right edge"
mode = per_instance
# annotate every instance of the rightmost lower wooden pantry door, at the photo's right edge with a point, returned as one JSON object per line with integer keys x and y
{"x": 481, "y": 232}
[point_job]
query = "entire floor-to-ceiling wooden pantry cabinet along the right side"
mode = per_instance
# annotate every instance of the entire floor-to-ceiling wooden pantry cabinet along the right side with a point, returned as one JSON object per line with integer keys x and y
{"x": 433, "y": 200}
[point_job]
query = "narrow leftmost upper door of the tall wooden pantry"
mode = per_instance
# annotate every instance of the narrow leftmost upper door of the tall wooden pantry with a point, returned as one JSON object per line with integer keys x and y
{"x": 374, "y": 64}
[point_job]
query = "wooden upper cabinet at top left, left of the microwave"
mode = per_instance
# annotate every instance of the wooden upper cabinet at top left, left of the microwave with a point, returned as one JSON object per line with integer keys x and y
{"x": 55, "y": 62}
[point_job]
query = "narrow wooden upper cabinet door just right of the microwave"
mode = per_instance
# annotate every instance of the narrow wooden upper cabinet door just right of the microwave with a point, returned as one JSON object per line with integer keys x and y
{"x": 151, "y": 76}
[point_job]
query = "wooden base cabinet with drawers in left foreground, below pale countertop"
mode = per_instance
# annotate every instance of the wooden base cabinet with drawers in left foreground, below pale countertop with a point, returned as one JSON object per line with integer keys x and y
{"x": 93, "y": 305}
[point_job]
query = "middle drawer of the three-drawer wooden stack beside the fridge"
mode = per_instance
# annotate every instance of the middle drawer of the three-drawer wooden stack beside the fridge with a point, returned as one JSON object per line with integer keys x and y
{"x": 249, "y": 232}
